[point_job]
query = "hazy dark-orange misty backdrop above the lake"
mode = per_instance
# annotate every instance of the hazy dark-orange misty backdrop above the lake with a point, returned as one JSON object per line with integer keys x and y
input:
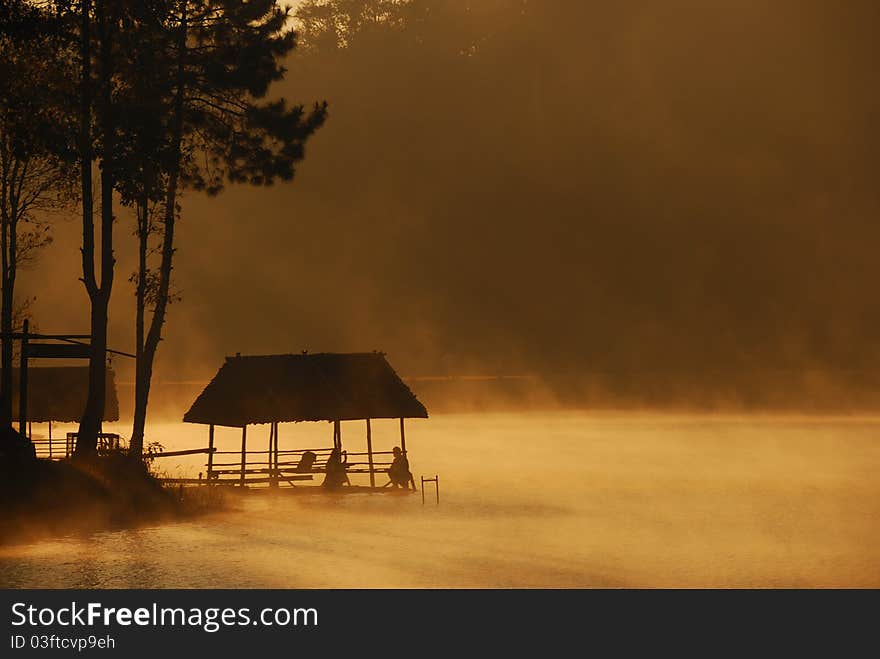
{"x": 679, "y": 187}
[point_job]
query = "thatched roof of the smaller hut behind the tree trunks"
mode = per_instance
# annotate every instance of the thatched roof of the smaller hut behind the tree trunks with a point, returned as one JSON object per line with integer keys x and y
{"x": 58, "y": 393}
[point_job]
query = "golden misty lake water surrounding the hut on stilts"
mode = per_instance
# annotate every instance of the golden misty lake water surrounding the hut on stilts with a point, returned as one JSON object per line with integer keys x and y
{"x": 556, "y": 500}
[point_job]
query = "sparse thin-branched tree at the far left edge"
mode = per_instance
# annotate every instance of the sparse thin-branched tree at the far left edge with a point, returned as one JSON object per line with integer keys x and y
{"x": 34, "y": 181}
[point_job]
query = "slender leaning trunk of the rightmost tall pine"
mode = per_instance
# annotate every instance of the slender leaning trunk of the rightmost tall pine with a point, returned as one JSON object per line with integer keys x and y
{"x": 151, "y": 343}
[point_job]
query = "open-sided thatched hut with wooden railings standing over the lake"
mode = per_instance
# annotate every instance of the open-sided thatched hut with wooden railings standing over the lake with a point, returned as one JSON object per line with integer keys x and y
{"x": 274, "y": 389}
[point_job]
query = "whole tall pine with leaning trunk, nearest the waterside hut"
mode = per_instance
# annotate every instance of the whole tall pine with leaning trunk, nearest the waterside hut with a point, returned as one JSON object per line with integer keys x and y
{"x": 197, "y": 120}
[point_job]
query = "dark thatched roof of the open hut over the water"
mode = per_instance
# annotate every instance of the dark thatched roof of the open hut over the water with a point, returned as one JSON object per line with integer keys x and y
{"x": 319, "y": 387}
